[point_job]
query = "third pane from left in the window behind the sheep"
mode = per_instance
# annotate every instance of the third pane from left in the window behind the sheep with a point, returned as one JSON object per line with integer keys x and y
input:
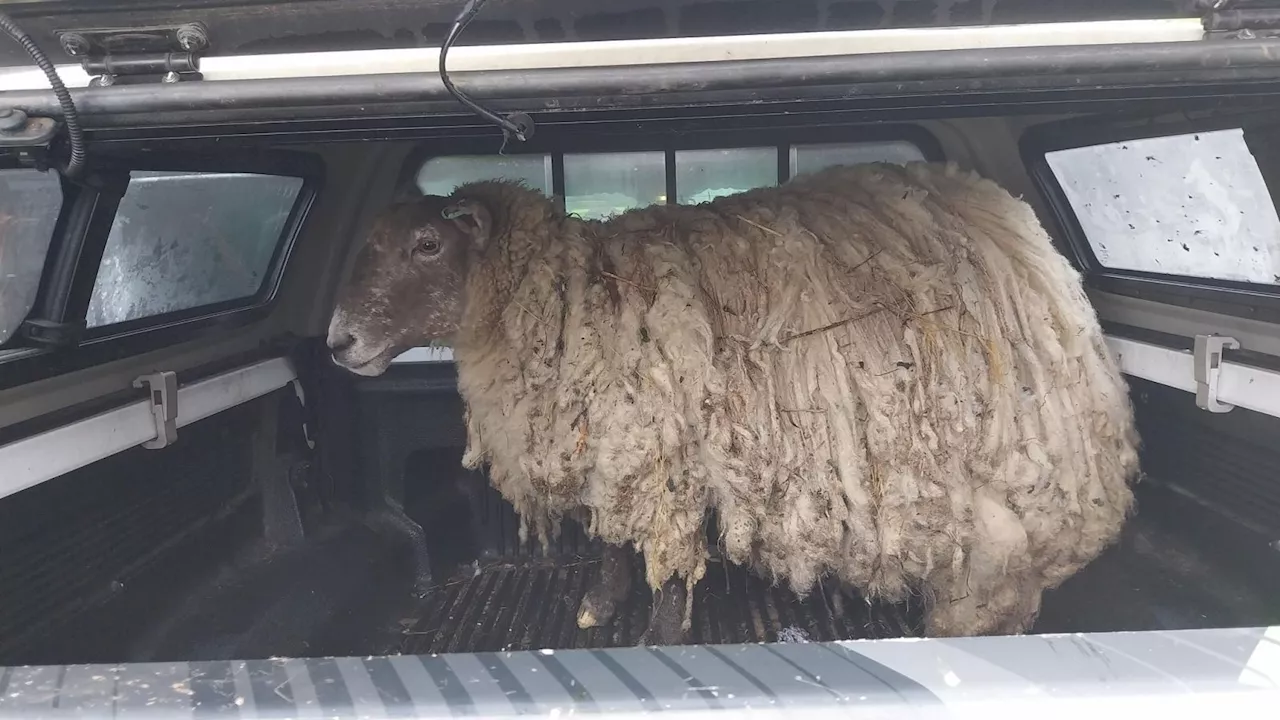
{"x": 706, "y": 175}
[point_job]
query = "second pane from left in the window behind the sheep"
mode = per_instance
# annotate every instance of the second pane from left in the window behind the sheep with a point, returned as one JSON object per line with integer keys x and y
{"x": 606, "y": 184}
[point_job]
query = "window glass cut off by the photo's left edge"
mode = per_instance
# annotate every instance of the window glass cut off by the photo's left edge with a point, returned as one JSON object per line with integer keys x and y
{"x": 30, "y": 204}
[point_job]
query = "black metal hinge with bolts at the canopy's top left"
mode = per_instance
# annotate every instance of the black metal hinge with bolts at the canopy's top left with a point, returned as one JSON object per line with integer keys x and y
{"x": 138, "y": 56}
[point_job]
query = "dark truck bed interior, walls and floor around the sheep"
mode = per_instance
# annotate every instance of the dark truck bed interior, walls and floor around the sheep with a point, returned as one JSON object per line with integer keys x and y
{"x": 182, "y": 554}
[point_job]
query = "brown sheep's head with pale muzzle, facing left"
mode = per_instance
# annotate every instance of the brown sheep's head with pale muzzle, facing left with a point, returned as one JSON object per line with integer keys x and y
{"x": 406, "y": 286}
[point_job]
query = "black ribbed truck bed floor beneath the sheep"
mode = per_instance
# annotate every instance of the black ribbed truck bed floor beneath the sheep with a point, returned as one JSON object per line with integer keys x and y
{"x": 348, "y": 591}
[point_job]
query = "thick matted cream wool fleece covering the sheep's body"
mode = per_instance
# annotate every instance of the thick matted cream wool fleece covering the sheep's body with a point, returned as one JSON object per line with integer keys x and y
{"x": 879, "y": 373}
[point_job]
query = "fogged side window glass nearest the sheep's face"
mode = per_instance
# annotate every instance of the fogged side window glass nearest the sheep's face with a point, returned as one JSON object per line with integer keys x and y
{"x": 188, "y": 240}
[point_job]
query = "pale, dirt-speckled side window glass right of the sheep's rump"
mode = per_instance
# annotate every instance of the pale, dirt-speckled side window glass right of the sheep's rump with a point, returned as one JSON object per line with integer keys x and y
{"x": 1191, "y": 206}
